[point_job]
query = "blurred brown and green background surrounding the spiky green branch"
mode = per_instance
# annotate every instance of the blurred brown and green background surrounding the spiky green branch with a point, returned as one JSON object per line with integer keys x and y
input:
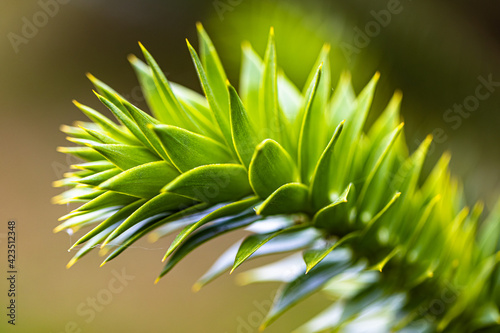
{"x": 444, "y": 56}
